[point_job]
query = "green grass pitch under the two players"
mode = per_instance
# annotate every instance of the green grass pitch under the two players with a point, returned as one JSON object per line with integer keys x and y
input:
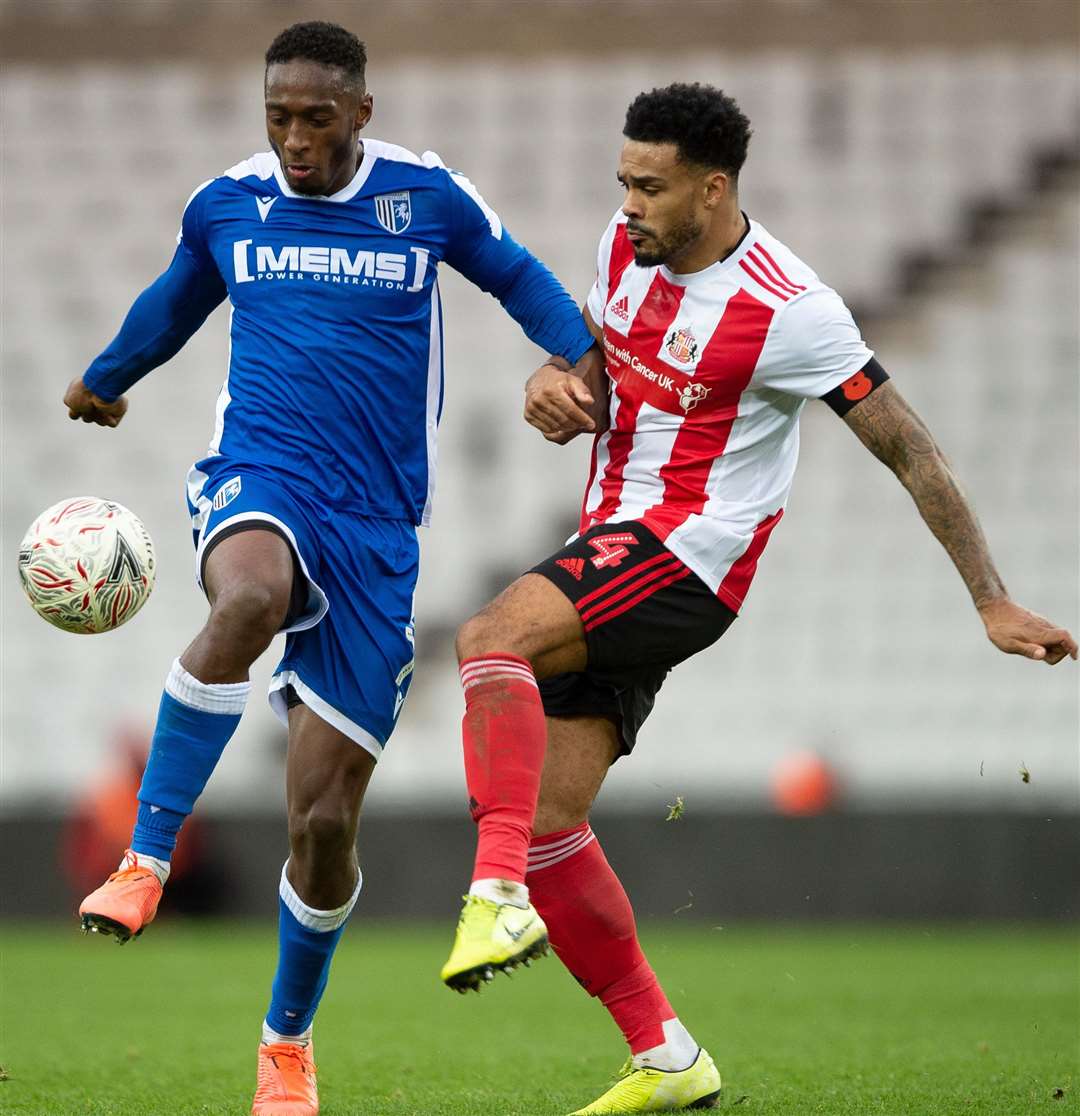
{"x": 846, "y": 1019}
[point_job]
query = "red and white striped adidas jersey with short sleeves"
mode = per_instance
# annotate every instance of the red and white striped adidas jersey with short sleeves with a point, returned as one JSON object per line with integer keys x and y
{"x": 709, "y": 373}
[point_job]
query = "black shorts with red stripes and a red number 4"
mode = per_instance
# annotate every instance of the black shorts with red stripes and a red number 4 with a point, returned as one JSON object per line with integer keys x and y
{"x": 644, "y": 612}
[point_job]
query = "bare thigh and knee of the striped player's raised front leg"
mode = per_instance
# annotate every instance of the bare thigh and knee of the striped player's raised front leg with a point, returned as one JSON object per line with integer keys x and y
{"x": 533, "y": 620}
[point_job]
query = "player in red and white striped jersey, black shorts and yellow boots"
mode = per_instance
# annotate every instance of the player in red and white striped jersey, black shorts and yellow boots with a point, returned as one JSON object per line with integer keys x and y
{"x": 716, "y": 335}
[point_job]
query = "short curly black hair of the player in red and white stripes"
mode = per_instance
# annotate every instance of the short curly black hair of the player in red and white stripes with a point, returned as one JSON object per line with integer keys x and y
{"x": 703, "y": 122}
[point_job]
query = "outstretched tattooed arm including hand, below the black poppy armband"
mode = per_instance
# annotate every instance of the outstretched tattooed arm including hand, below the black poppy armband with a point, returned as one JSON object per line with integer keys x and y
{"x": 894, "y": 434}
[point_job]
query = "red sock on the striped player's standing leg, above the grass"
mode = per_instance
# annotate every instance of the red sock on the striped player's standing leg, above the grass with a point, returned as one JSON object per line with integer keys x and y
{"x": 592, "y": 928}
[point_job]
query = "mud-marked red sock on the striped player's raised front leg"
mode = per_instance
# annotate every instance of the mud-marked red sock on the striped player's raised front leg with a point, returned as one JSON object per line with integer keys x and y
{"x": 505, "y": 738}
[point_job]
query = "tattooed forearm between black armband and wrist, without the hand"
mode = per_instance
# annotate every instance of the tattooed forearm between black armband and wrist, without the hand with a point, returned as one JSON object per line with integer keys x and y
{"x": 895, "y": 435}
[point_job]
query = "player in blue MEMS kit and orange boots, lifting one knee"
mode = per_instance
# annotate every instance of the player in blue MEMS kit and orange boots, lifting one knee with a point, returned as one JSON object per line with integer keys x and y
{"x": 321, "y": 469}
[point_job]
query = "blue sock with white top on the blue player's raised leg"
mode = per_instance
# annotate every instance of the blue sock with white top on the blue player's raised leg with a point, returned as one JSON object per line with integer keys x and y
{"x": 195, "y": 723}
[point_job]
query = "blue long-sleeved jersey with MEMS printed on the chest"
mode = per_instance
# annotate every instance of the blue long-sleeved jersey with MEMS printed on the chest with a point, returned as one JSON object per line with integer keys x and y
{"x": 336, "y": 368}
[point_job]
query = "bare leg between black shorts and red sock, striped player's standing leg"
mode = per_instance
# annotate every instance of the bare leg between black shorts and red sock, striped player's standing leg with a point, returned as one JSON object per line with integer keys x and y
{"x": 581, "y": 754}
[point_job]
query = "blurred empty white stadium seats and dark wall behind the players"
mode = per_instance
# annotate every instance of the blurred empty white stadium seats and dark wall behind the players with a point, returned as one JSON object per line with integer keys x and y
{"x": 854, "y": 746}
